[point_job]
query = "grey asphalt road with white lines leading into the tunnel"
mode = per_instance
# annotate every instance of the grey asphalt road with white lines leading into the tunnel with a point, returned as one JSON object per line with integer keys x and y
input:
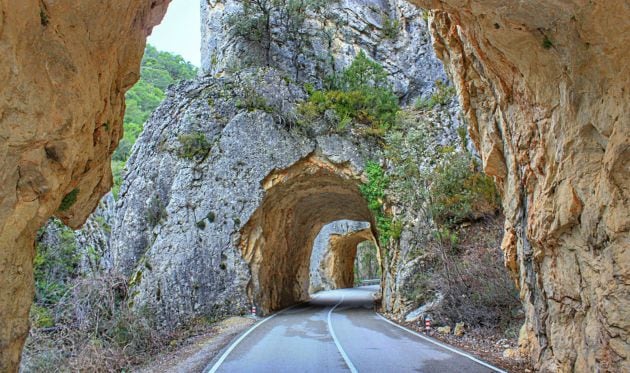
{"x": 338, "y": 331}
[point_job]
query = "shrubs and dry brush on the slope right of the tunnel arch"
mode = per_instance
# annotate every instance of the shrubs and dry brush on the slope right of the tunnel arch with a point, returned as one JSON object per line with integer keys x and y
{"x": 458, "y": 206}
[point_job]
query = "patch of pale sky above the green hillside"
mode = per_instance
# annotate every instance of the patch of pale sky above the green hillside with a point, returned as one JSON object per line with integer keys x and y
{"x": 179, "y": 31}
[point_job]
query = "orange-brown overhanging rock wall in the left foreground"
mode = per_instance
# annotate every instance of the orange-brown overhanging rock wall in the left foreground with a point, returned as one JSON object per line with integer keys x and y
{"x": 64, "y": 67}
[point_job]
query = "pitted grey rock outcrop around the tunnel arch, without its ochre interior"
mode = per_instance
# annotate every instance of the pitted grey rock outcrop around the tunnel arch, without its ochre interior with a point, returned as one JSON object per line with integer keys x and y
{"x": 179, "y": 214}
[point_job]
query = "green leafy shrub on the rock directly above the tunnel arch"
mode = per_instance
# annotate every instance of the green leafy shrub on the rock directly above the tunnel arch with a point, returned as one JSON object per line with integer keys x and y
{"x": 360, "y": 93}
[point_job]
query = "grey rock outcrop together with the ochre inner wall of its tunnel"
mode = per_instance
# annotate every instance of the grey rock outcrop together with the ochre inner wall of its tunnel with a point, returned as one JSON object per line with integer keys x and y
{"x": 208, "y": 230}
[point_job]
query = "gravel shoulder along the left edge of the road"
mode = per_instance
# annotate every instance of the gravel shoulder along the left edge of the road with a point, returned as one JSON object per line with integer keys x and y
{"x": 197, "y": 352}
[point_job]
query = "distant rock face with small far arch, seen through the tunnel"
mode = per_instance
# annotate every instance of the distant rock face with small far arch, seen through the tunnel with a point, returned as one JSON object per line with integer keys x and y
{"x": 334, "y": 245}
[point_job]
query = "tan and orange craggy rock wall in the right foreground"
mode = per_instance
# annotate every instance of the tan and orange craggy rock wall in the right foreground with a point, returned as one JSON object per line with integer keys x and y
{"x": 545, "y": 89}
